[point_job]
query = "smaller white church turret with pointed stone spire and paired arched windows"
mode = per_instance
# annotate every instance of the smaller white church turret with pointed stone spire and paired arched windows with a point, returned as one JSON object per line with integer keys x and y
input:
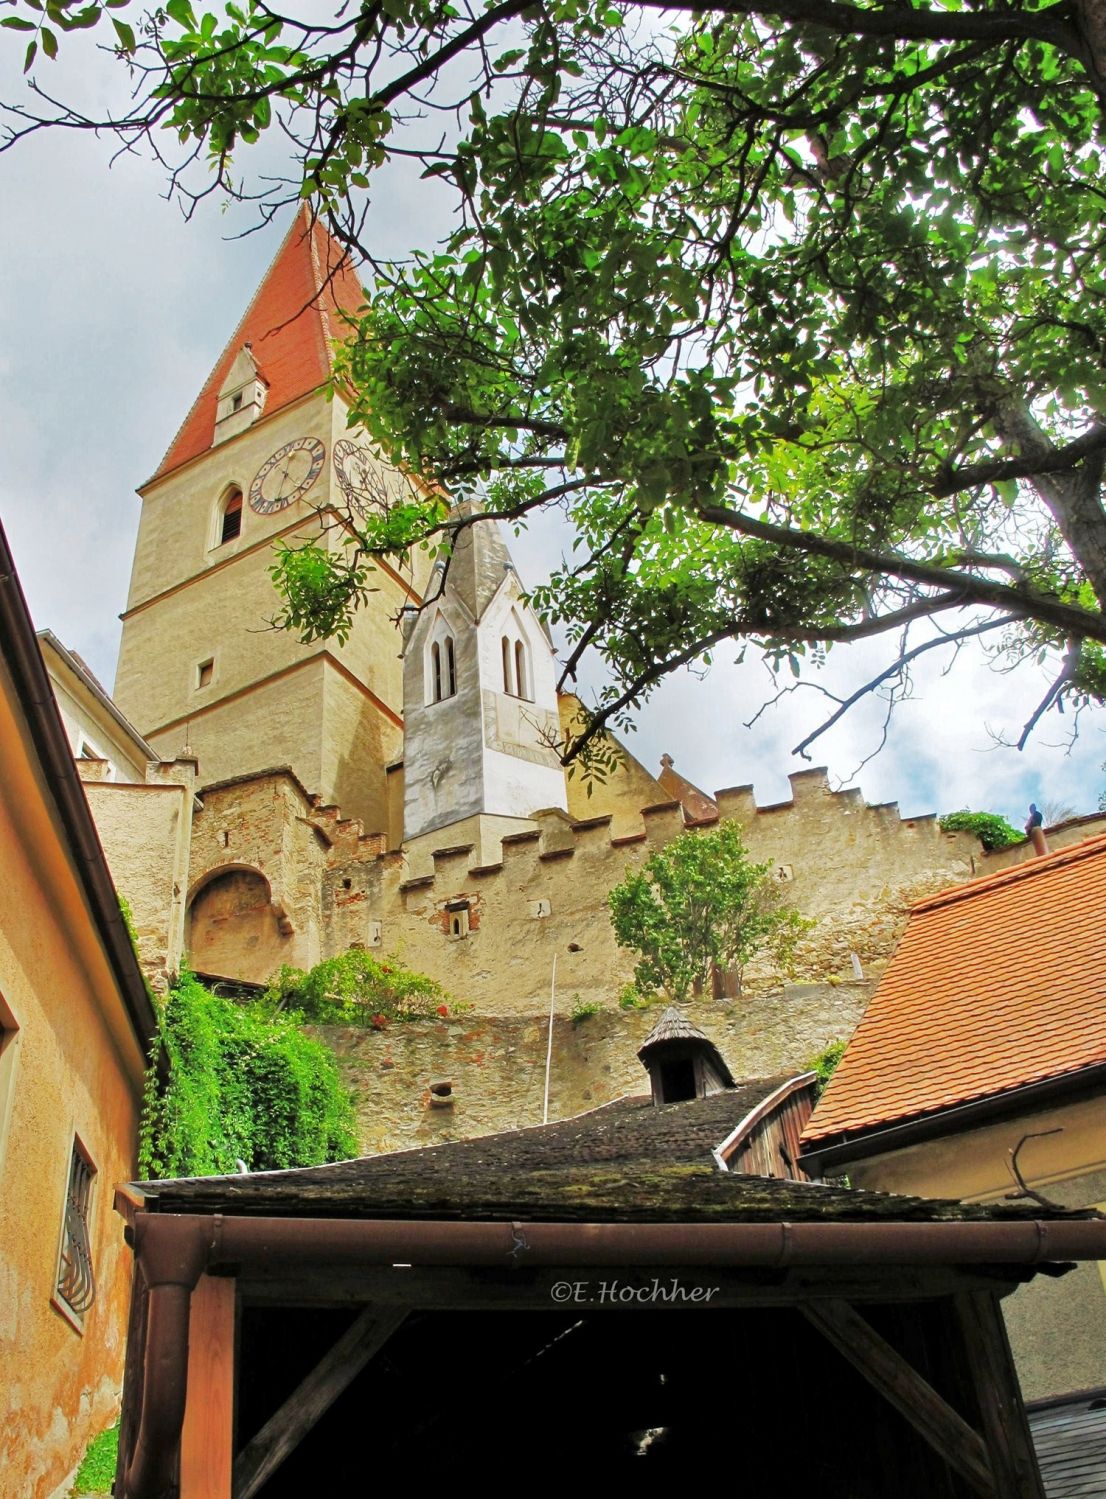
{"x": 480, "y": 702}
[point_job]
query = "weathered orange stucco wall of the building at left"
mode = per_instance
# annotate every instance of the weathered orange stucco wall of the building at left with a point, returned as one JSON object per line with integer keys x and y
{"x": 70, "y": 1067}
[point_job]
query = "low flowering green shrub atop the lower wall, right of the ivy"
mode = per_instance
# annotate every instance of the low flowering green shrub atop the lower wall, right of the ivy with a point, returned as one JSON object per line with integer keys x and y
{"x": 356, "y": 989}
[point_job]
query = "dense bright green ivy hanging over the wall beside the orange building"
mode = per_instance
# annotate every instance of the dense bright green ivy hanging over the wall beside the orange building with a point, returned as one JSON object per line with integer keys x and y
{"x": 245, "y": 1085}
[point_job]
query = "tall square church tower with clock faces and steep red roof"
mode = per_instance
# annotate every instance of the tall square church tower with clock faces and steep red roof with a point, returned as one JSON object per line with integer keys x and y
{"x": 265, "y": 456}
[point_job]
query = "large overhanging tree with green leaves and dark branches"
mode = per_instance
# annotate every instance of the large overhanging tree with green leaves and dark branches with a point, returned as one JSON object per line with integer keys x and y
{"x": 798, "y": 313}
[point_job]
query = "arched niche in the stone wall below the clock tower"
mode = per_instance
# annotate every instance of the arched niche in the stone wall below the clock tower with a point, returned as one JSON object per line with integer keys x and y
{"x": 235, "y": 930}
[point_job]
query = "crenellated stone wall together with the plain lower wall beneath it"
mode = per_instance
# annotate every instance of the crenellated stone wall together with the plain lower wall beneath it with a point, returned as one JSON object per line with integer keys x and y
{"x": 281, "y": 879}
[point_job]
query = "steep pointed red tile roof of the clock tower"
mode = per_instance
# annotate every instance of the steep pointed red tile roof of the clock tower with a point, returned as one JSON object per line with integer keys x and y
{"x": 291, "y": 325}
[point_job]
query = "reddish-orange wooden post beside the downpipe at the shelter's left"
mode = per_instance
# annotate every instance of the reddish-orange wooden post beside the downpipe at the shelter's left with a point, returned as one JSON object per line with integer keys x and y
{"x": 208, "y": 1437}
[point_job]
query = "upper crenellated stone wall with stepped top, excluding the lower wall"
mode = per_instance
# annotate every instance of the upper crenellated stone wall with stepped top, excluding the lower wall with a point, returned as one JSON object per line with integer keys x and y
{"x": 489, "y": 932}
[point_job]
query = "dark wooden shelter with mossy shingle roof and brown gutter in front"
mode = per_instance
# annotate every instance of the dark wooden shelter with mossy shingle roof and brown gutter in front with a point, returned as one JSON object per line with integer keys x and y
{"x": 345, "y": 1324}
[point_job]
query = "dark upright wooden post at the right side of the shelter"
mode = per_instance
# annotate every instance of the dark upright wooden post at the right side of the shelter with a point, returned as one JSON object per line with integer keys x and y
{"x": 1006, "y": 1429}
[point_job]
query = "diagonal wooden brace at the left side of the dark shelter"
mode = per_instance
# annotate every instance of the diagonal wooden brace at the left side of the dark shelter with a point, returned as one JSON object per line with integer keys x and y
{"x": 315, "y": 1395}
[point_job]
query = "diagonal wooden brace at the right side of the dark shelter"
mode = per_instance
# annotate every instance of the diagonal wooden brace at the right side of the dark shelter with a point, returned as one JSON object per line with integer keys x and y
{"x": 901, "y": 1386}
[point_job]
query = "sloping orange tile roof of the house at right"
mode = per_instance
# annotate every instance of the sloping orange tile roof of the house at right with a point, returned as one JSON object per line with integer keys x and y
{"x": 997, "y": 984}
